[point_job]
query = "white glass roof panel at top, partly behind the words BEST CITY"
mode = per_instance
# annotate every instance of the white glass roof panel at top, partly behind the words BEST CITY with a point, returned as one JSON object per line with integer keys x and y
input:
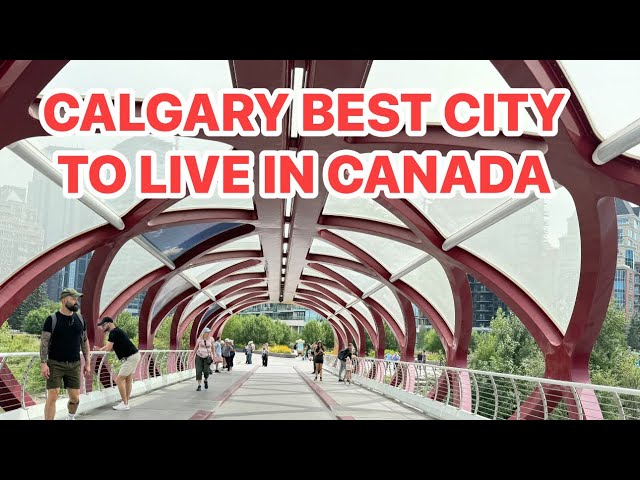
{"x": 441, "y": 77}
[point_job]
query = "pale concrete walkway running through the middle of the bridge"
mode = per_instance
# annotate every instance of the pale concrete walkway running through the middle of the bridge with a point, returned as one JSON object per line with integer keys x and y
{"x": 283, "y": 390}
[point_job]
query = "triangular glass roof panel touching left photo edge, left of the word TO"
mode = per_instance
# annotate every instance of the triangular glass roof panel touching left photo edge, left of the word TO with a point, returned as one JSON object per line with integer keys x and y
{"x": 34, "y": 216}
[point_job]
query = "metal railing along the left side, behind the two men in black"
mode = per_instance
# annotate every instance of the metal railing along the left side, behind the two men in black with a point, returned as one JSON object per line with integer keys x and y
{"x": 22, "y": 385}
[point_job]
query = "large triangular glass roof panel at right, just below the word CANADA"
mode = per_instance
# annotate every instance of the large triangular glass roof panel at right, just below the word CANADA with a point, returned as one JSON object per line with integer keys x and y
{"x": 538, "y": 247}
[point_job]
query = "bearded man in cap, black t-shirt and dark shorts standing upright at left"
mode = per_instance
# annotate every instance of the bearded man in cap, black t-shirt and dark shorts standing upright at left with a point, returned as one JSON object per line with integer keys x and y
{"x": 60, "y": 354}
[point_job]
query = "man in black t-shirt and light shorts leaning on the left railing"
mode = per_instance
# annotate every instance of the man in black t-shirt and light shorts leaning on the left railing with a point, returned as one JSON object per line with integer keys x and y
{"x": 126, "y": 351}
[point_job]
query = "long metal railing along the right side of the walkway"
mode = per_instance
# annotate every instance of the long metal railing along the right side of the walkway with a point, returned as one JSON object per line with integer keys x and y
{"x": 500, "y": 396}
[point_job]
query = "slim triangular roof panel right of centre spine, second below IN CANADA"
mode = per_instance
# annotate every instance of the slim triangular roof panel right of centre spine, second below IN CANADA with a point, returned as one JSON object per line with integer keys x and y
{"x": 391, "y": 254}
